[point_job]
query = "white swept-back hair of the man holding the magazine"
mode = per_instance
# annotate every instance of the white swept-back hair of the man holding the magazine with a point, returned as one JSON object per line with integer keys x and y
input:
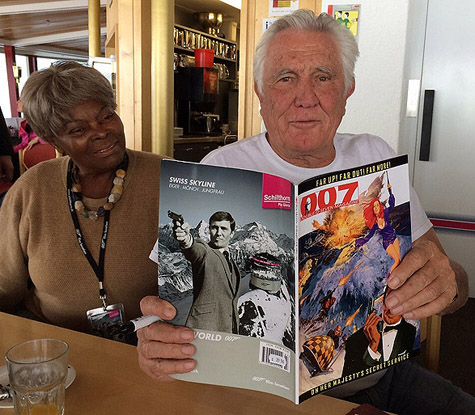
{"x": 306, "y": 21}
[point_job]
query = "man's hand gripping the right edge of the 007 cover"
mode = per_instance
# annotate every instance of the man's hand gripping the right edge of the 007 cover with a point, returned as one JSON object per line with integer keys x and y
{"x": 425, "y": 282}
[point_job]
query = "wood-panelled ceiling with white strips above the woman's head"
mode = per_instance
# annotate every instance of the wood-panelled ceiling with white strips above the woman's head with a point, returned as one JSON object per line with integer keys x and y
{"x": 48, "y": 28}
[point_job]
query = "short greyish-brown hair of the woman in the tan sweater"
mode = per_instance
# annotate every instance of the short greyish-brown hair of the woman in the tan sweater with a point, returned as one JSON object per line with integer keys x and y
{"x": 51, "y": 94}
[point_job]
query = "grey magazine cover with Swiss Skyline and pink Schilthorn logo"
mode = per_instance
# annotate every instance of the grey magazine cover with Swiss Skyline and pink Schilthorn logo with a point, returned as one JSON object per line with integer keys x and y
{"x": 241, "y": 308}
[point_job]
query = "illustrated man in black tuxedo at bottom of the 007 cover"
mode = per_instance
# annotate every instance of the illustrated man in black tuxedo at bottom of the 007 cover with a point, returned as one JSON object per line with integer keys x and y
{"x": 381, "y": 339}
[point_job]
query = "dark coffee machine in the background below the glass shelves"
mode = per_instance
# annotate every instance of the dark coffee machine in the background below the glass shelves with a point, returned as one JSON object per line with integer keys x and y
{"x": 196, "y": 92}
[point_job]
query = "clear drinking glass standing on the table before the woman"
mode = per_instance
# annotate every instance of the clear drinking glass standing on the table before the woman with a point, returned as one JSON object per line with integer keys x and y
{"x": 37, "y": 371}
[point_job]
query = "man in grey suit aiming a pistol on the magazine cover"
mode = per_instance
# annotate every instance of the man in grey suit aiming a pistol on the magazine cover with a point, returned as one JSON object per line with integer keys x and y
{"x": 216, "y": 278}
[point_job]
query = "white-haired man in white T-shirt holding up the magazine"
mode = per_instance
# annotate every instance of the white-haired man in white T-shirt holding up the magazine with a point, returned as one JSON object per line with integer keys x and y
{"x": 303, "y": 71}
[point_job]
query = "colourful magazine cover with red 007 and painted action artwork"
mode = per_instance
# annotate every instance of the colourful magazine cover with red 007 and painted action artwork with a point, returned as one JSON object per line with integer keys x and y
{"x": 354, "y": 229}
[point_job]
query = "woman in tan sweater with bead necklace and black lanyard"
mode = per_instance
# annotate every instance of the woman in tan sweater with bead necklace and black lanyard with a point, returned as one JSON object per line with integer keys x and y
{"x": 77, "y": 230}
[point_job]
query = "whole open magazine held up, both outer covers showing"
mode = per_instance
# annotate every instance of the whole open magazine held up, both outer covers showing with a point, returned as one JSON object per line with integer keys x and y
{"x": 289, "y": 298}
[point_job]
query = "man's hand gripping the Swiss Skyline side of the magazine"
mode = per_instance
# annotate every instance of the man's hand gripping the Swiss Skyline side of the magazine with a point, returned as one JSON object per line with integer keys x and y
{"x": 164, "y": 349}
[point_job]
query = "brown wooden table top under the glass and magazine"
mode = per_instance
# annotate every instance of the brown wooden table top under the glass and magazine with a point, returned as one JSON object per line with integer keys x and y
{"x": 109, "y": 381}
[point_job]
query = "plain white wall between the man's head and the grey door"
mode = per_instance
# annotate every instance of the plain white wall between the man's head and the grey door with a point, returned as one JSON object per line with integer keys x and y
{"x": 375, "y": 105}
